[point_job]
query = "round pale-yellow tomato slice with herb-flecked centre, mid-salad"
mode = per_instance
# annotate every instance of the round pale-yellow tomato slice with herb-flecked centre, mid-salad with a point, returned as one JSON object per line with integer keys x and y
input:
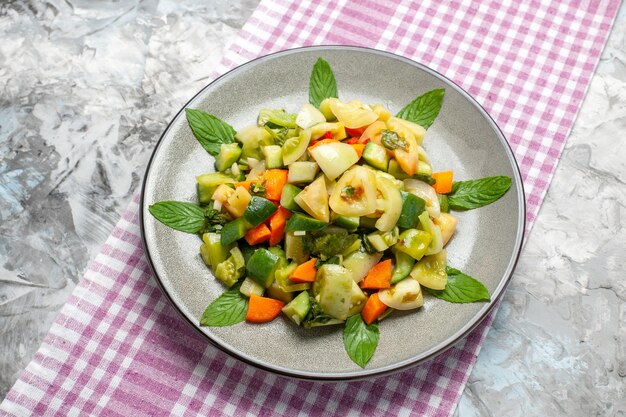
{"x": 355, "y": 193}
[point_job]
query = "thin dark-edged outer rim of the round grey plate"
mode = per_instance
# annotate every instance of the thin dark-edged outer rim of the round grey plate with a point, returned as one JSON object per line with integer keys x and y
{"x": 364, "y": 373}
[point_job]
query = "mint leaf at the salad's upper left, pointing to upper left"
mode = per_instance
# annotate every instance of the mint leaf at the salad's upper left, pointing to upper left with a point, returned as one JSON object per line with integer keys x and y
{"x": 210, "y": 131}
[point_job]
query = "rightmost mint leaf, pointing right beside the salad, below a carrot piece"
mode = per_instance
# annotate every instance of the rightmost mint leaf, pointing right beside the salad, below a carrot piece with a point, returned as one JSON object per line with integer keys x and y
{"x": 467, "y": 195}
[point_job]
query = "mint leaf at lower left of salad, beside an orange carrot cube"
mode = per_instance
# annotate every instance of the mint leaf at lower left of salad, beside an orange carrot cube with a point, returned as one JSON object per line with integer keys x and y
{"x": 228, "y": 309}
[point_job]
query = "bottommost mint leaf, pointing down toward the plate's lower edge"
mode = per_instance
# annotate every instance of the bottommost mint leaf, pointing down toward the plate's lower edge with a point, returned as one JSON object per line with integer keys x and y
{"x": 360, "y": 339}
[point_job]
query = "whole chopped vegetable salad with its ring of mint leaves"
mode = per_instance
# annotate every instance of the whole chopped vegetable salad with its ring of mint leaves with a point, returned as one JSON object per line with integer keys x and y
{"x": 329, "y": 215}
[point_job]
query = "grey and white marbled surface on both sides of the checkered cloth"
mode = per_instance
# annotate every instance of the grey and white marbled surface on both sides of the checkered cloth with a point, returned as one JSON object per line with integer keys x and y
{"x": 87, "y": 88}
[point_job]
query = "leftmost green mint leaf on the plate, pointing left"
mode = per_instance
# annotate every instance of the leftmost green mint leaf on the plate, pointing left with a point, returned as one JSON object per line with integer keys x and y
{"x": 182, "y": 216}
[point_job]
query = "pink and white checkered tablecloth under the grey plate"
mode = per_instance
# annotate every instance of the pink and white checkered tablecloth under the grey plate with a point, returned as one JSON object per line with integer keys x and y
{"x": 117, "y": 348}
